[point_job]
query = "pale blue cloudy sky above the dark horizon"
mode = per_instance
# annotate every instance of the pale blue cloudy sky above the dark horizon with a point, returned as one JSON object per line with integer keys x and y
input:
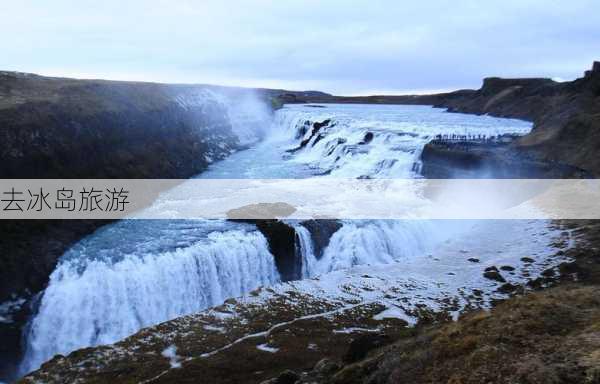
{"x": 342, "y": 47}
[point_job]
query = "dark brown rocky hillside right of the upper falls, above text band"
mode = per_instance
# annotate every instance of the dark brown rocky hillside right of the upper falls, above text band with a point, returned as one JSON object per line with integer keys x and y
{"x": 566, "y": 118}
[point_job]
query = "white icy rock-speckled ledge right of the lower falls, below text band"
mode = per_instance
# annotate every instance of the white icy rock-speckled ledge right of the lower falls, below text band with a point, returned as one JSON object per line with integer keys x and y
{"x": 444, "y": 279}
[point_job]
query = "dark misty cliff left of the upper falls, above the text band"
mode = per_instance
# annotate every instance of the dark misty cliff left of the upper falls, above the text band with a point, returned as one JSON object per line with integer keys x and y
{"x": 63, "y": 128}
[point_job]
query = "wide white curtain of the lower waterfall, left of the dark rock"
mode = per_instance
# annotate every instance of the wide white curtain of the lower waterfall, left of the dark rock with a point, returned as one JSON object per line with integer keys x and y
{"x": 106, "y": 301}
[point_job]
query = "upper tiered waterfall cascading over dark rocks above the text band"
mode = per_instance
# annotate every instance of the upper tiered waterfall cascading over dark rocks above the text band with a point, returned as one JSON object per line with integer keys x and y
{"x": 383, "y": 141}
